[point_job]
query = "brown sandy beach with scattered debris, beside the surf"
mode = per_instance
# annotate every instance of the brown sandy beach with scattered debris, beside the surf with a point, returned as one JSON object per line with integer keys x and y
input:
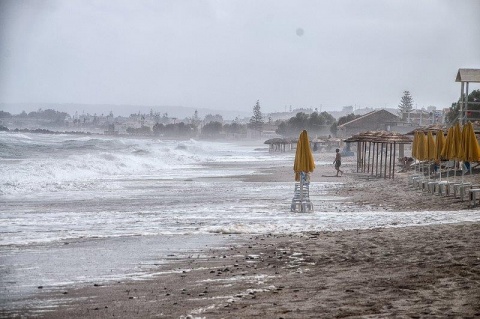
{"x": 409, "y": 272}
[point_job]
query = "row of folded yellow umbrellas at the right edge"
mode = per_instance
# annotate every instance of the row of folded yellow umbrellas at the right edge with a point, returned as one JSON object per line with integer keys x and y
{"x": 460, "y": 144}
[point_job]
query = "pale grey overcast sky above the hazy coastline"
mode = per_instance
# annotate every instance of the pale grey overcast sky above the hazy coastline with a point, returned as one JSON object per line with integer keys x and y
{"x": 229, "y": 54}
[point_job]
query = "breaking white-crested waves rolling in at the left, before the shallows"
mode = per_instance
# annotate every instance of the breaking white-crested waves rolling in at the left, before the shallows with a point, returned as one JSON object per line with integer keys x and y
{"x": 52, "y": 163}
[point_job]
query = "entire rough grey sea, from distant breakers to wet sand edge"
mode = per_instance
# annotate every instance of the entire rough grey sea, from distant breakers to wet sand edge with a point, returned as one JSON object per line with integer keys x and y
{"x": 83, "y": 209}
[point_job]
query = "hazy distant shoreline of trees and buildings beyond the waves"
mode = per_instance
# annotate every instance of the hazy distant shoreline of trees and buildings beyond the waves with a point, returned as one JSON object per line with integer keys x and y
{"x": 212, "y": 126}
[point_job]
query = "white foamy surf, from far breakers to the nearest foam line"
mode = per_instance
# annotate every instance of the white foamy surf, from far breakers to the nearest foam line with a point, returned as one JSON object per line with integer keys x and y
{"x": 62, "y": 187}
